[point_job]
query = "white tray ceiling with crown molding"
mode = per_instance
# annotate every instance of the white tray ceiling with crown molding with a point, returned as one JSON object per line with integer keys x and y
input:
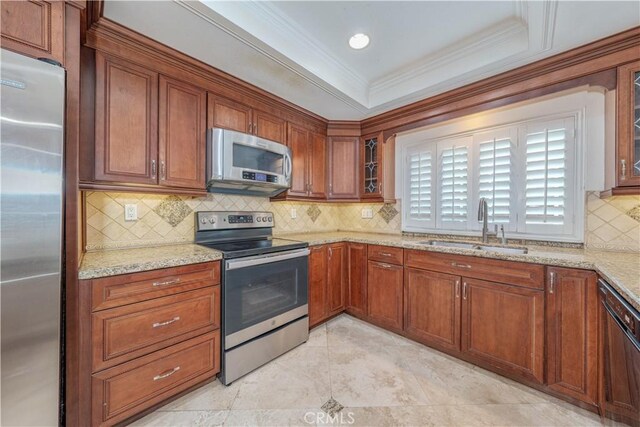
{"x": 298, "y": 49}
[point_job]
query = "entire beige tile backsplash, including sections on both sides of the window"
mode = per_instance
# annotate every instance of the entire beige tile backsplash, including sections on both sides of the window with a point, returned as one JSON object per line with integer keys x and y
{"x": 611, "y": 224}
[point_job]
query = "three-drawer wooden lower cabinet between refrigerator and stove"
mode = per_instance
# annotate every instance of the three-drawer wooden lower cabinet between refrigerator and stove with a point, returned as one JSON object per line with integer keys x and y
{"x": 149, "y": 337}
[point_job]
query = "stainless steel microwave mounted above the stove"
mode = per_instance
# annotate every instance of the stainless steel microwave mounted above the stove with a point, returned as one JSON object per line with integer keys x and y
{"x": 240, "y": 163}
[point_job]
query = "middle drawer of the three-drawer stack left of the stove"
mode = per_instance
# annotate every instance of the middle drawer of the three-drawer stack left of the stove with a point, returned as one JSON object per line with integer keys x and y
{"x": 123, "y": 333}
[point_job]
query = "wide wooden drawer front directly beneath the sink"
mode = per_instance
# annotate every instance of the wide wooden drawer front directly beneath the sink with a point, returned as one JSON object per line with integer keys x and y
{"x": 515, "y": 273}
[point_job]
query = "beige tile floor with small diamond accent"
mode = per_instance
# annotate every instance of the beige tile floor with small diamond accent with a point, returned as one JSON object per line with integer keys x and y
{"x": 379, "y": 378}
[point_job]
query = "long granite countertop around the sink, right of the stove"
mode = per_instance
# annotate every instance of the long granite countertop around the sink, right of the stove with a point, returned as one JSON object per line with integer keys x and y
{"x": 620, "y": 269}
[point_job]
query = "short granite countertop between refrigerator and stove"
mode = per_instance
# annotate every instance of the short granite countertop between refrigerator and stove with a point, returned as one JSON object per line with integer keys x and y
{"x": 132, "y": 260}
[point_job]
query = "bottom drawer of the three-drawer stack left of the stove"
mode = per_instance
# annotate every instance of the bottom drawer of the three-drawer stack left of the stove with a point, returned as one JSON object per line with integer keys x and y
{"x": 127, "y": 389}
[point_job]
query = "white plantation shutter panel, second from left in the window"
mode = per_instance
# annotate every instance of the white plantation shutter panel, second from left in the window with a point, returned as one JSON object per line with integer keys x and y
{"x": 453, "y": 182}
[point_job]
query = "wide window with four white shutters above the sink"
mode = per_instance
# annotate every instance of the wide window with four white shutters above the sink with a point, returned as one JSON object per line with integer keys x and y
{"x": 525, "y": 171}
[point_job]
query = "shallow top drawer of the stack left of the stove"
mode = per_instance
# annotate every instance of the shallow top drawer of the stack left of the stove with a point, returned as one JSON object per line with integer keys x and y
{"x": 131, "y": 288}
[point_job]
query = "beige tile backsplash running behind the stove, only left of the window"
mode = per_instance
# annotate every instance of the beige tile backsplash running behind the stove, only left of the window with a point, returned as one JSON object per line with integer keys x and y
{"x": 166, "y": 219}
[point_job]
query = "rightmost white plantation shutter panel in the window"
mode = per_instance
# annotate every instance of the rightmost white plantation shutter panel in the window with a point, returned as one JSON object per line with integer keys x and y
{"x": 548, "y": 156}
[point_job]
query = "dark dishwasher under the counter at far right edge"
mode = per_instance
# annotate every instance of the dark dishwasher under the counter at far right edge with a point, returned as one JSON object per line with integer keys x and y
{"x": 621, "y": 336}
